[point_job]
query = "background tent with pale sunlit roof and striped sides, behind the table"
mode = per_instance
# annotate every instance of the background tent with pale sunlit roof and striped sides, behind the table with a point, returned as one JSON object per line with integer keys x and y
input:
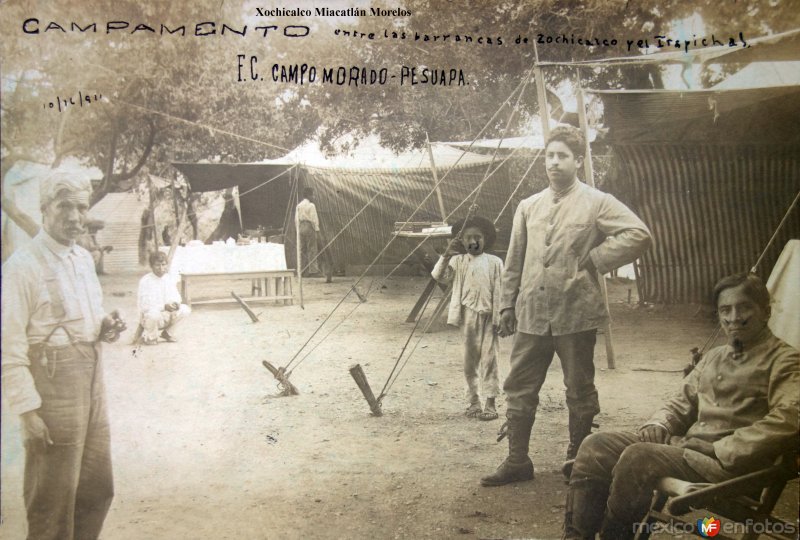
{"x": 375, "y": 189}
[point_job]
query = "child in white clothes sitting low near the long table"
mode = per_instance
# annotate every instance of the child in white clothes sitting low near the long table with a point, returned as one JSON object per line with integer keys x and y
{"x": 160, "y": 305}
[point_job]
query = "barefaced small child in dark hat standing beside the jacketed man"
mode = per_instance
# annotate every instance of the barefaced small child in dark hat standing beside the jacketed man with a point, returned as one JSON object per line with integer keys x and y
{"x": 474, "y": 305}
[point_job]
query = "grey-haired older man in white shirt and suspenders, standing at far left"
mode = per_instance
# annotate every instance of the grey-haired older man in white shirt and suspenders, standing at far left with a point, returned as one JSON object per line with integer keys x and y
{"x": 52, "y": 324}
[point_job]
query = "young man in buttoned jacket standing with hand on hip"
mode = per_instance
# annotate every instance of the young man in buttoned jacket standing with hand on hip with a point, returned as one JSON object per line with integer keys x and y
{"x": 551, "y": 299}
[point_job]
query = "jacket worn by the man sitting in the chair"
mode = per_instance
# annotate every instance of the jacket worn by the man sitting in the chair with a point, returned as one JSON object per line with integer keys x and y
{"x": 745, "y": 403}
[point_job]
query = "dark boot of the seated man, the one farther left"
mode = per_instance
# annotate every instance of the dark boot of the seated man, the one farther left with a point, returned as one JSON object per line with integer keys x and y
{"x": 586, "y": 504}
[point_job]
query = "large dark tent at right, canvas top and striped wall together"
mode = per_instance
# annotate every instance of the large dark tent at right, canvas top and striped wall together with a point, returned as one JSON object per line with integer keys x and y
{"x": 713, "y": 172}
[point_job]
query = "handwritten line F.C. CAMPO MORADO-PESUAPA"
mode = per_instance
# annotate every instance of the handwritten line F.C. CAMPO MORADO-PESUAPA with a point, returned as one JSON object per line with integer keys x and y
{"x": 248, "y": 70}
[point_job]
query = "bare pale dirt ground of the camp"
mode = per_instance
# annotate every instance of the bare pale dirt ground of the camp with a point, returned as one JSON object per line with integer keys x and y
{"x": 202, "y": 449}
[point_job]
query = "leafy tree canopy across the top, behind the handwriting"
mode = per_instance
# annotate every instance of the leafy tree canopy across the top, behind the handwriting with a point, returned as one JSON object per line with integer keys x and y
{"x": 171, "y": 98}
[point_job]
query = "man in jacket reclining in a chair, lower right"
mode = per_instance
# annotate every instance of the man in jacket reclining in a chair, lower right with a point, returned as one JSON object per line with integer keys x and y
{"x": 734, "y": 414}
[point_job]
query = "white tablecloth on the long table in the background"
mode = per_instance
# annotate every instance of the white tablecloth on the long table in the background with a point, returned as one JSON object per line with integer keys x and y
{"x": 228, "y": 259}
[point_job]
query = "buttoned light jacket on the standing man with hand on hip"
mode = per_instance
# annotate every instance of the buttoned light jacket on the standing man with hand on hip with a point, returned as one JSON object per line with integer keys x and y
{"x": 549, "y": 238}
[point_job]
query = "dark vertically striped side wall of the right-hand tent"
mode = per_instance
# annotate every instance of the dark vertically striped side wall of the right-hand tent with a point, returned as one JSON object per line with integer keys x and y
{"x": 712, "y": 209}
